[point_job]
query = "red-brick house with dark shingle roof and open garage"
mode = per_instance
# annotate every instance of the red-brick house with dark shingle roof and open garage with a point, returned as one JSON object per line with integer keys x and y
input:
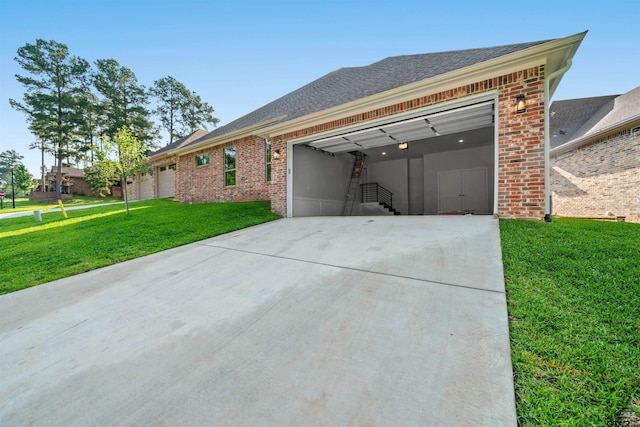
{"x": 450, "y": 132}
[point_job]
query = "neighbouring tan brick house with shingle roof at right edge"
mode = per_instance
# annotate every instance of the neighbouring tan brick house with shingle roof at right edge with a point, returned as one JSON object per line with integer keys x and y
{"x": 595, "y": 157}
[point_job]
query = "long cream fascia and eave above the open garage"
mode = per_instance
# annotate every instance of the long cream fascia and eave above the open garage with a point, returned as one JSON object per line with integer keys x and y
{"x": 527, "y": 58}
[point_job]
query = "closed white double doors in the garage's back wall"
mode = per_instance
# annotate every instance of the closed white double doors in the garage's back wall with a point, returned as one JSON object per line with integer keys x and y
{"x": 463, "y": 191}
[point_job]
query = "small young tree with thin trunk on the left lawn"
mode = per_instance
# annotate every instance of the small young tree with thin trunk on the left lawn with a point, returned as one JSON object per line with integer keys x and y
{"x": 123, "y": 156}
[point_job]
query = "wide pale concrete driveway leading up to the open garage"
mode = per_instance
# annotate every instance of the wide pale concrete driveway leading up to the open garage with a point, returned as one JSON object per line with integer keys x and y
{"x": 305, "y": 321}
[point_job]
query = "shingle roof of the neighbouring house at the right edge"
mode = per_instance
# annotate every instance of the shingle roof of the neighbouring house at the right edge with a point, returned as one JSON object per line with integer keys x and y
{"x": 587, "y": 116}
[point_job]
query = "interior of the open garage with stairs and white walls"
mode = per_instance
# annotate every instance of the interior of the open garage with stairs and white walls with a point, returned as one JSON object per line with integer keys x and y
{"x": 441, "y": 162}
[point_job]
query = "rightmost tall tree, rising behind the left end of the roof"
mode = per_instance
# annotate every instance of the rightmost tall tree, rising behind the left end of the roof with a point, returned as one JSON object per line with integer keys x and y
{"x": 180, "y": 111}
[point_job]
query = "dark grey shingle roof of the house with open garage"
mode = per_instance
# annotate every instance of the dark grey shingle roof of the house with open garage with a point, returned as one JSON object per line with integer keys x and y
{"x": 350, "y": 84}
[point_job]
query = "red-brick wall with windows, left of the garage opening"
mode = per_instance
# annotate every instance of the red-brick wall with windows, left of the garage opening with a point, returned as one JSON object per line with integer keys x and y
{"x": 197, "y": 184}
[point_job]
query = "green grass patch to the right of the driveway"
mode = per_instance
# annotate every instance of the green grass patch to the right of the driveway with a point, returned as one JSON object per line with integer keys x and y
{"x": 573, "y": 296}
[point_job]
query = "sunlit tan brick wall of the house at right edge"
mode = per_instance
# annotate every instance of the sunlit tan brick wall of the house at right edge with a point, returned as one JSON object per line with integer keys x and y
{"x": 598, "y": 179}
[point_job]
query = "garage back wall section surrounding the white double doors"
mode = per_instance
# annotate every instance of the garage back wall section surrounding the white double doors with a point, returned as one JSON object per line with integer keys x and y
{"x": 454, "y": 160}
